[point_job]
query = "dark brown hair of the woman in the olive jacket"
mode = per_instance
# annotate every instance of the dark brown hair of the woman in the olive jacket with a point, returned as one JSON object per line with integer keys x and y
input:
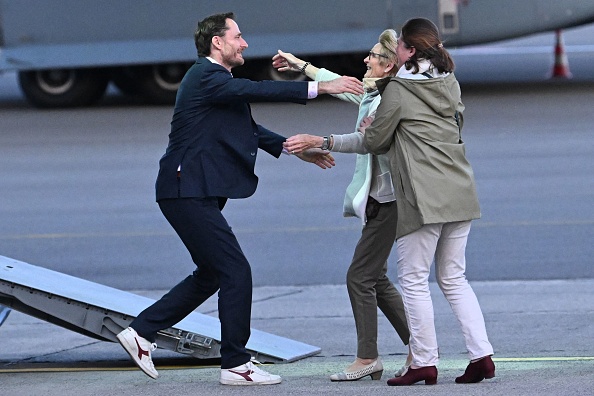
{"x": 423, "y": 35}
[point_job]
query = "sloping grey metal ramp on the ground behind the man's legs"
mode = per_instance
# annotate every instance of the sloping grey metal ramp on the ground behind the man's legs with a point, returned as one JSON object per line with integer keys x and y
{"x": 101, "y": 312}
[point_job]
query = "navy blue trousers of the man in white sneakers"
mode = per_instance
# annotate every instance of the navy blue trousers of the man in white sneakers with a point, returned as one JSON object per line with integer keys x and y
{"x": 221, "y": 266}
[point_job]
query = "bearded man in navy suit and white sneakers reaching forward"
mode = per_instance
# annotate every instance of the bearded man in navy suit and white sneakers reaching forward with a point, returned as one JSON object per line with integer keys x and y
{"x": 210, "y": 158}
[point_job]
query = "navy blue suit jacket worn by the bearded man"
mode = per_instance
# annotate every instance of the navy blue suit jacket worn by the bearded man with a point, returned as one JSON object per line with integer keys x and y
{"x": 213, "y": 135}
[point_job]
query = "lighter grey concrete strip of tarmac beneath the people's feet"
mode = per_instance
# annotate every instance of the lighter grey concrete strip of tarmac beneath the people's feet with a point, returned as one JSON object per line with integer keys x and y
{"x": 542, "y": 332}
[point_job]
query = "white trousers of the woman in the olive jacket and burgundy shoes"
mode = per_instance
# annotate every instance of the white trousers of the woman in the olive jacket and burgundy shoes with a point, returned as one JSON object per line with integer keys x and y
{"x": 446, "y": 243}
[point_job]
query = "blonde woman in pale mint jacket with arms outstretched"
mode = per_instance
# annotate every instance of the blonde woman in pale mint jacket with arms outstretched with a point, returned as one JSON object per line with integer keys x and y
{"x": 371, "y": 197}
